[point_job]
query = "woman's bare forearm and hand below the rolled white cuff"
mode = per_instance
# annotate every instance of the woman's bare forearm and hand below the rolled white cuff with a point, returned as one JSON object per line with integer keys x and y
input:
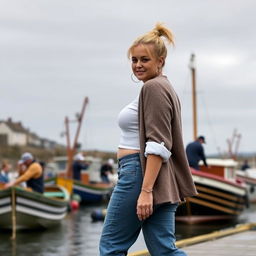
{"x": 145, "y": 200}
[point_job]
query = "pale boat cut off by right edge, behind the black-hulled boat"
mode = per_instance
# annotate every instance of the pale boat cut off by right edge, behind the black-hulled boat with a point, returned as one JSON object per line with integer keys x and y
{"x": 248, "y": 176}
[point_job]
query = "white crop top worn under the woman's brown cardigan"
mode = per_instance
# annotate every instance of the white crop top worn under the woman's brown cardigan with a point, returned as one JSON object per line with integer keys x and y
{"x": 128, "y": 122}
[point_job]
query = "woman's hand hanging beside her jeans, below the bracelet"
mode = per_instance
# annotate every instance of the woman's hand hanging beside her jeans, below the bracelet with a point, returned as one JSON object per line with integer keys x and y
{"x": 145, "y": 205}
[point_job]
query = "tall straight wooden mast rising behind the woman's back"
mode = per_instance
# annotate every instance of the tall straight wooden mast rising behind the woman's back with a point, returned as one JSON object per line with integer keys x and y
{"x": 194, "y": 100}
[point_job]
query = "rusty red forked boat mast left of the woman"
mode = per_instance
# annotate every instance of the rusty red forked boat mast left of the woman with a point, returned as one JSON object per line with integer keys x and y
{"x": 71, "y": 149}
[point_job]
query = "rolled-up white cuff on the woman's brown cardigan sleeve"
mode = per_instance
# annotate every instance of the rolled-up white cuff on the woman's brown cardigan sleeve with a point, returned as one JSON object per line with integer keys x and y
{"x": 154, "y": 148}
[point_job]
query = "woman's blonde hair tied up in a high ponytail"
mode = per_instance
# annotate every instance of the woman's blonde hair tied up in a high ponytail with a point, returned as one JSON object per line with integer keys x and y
{"x": 154, "y": 37}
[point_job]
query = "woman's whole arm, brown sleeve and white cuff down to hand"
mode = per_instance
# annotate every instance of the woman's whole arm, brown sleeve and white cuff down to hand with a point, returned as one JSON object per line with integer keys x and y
{"x": 156, "y": 116}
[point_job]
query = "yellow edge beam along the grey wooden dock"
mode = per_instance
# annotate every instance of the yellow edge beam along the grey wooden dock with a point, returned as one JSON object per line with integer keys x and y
{"x": 202, "y": 238}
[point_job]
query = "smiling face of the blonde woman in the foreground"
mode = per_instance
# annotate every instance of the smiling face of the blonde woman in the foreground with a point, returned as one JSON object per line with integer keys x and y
{"x": 145, "y": 65}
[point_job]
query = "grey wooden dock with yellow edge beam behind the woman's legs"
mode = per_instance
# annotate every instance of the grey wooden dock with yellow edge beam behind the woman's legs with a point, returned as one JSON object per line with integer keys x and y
{"x": 238, "y": 241}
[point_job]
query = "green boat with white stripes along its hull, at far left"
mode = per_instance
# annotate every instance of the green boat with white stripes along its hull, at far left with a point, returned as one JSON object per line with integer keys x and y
{"x": 25, "y": 209}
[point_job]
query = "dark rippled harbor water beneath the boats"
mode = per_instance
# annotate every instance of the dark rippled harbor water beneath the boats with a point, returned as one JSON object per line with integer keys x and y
{"x": 79, "y": 236}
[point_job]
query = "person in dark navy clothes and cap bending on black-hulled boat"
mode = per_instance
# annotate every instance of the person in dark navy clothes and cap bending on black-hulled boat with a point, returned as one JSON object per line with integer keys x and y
{"x": 195, "y": 153}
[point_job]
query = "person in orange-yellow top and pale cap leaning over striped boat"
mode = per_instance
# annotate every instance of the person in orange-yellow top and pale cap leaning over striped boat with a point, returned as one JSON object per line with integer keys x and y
{"x": 33, "y": 175}
